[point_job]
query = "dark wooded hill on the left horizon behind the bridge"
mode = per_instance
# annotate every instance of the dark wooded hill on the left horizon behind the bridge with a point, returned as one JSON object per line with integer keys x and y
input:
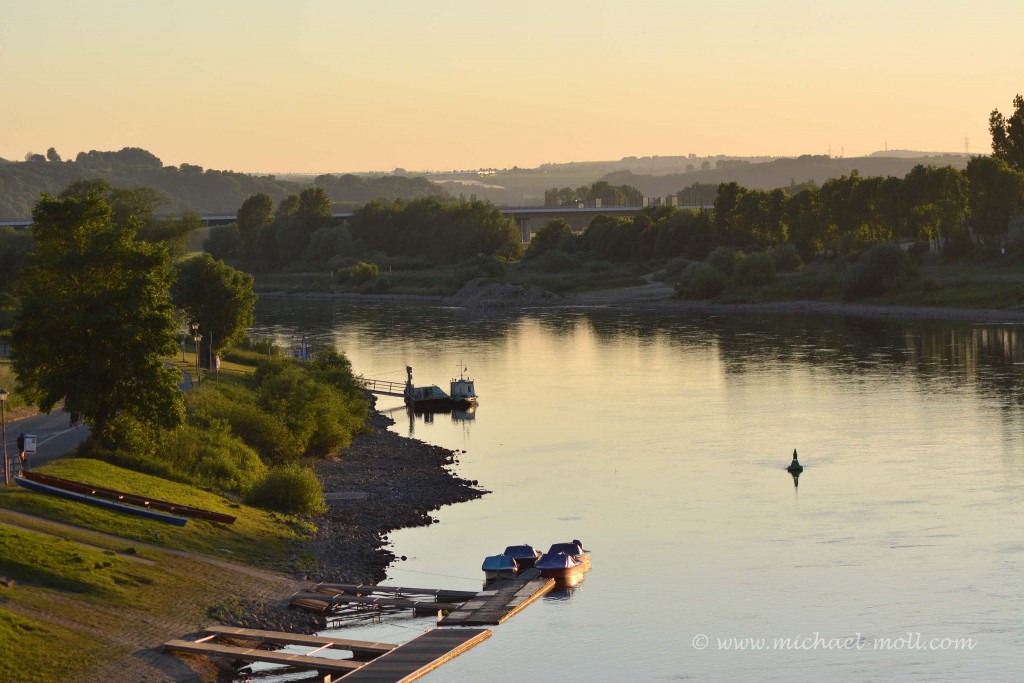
{"x": 186, "y": 187}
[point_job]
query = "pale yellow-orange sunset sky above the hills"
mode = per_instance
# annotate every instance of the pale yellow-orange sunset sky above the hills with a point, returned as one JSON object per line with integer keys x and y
{"x": 349, "y": 86}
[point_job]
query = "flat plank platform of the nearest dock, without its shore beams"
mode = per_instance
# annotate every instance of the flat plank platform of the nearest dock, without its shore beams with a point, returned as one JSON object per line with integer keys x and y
{"x": 419, "y": 657}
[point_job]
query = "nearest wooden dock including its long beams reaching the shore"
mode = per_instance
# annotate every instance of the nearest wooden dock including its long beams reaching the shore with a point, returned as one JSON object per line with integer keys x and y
{"x": 388, "y": 664}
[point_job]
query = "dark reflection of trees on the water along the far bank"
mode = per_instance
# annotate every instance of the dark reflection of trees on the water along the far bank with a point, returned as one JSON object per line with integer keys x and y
{"x": 956, "y": 354}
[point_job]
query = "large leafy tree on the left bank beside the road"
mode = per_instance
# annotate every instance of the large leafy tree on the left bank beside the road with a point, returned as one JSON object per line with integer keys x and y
{"x": 96, "y": 318}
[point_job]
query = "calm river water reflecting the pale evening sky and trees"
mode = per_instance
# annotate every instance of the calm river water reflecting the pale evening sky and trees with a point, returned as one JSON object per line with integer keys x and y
{"x": 661, "y": 441}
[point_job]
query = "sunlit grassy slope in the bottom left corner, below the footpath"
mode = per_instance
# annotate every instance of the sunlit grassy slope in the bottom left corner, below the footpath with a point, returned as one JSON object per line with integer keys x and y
{"x": 90, "y": 608}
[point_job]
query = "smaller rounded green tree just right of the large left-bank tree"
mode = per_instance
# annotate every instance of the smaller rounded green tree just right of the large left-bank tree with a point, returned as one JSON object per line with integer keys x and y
{"x": 219, "y": 297}
